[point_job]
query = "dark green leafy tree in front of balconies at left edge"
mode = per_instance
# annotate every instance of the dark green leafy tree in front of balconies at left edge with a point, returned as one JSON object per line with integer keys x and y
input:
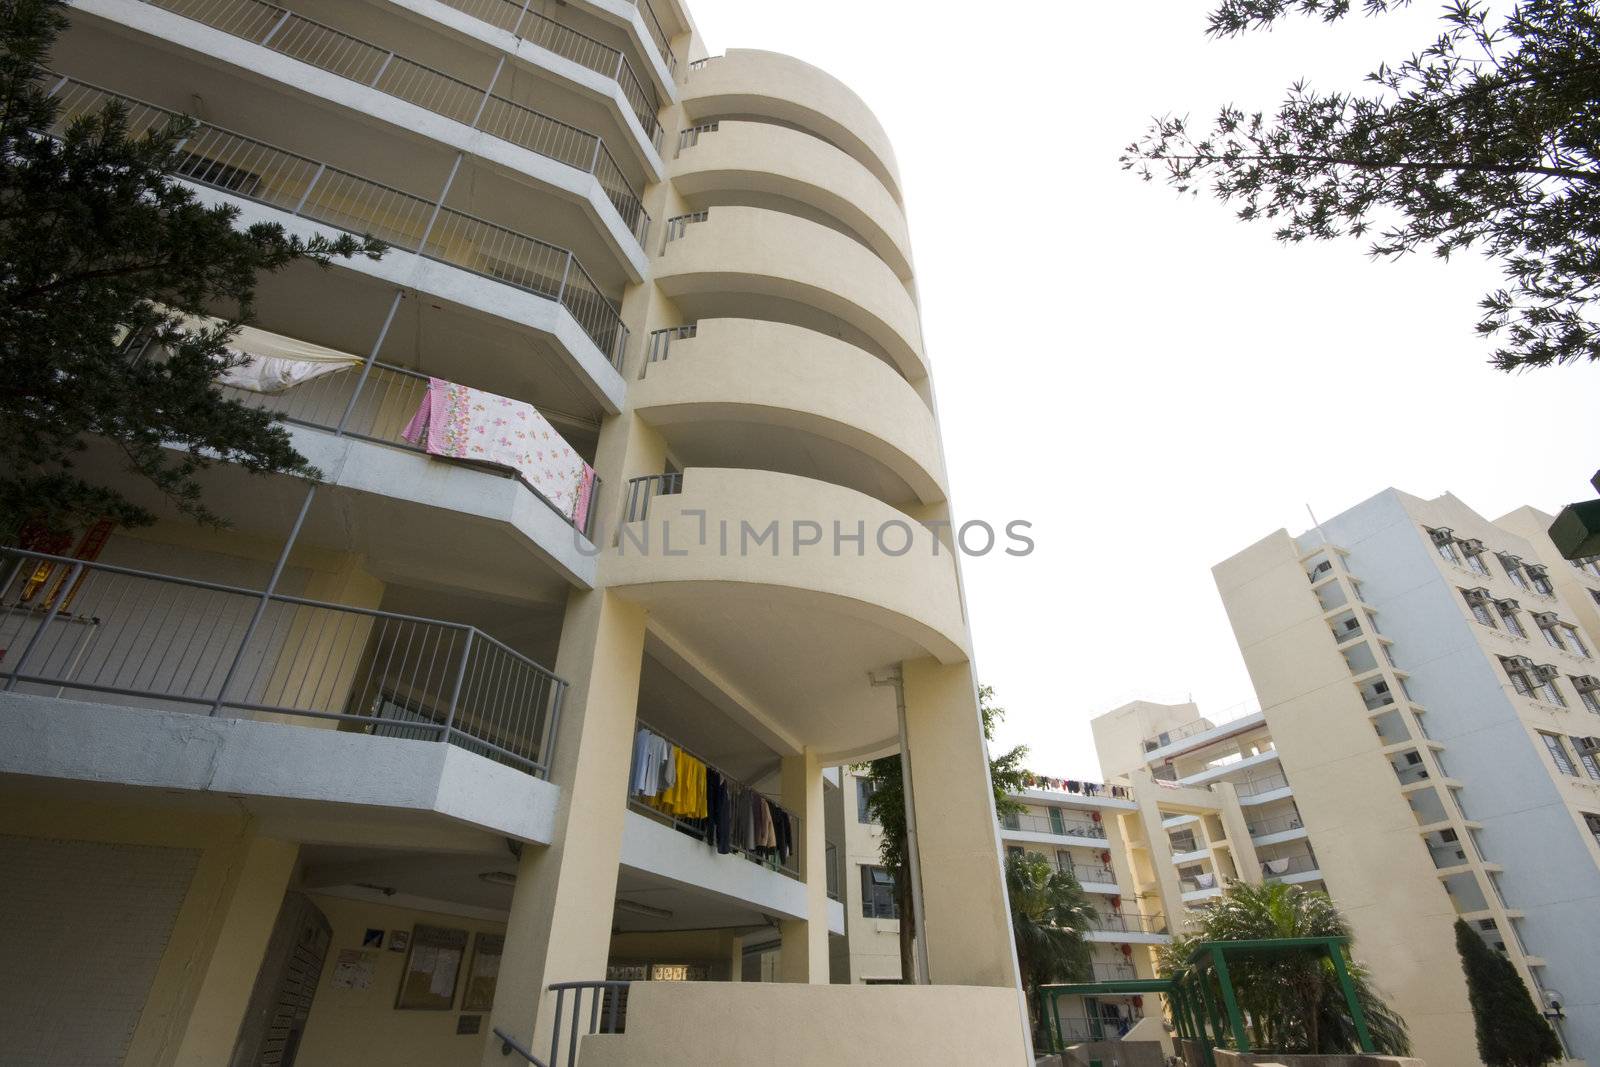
{"x": 102, "y": 246}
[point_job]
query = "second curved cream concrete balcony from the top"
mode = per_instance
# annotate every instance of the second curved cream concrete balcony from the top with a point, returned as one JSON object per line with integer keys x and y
{"x": 753, "y": 162}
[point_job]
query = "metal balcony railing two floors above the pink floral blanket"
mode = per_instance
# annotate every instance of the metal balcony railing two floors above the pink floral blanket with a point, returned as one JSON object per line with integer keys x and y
{"x": 361, "y": 62}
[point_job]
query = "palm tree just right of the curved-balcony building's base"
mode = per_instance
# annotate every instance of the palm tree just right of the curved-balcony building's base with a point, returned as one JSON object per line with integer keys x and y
{"x": 1050, "y": 914}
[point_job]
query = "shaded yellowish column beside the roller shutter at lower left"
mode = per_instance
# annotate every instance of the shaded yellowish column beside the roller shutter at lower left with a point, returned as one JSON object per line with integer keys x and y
{"x": 249, "y": 909}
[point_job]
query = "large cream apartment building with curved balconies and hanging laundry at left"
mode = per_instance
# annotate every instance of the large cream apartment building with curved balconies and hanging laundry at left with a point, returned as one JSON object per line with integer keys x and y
{"x": 404, "y": 767}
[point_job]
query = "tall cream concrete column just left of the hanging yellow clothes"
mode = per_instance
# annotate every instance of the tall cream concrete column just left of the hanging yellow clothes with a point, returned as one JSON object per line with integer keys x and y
{"x": 559, "y": 929}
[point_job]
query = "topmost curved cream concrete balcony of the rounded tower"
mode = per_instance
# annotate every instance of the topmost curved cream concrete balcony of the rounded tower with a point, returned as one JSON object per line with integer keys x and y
{"x": 754, "y": 84}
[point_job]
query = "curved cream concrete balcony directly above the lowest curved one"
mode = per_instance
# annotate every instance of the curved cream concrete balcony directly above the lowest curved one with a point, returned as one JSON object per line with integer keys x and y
{"x": 788, "y": 399}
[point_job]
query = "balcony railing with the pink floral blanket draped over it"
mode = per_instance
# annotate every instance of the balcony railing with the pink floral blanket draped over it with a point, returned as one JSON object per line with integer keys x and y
{"x": 378, "y": 409}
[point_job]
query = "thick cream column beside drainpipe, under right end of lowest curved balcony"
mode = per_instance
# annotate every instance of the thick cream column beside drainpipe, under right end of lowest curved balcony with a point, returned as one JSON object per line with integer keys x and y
{"x": 964, "y": 897}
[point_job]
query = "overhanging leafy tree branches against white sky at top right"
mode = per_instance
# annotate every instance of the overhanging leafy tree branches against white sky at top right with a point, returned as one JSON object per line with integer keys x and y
{"x": 1487, "y": 138}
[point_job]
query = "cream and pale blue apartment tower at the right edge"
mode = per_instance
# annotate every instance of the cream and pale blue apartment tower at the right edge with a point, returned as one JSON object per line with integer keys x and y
{"x": 1430, "y": 685}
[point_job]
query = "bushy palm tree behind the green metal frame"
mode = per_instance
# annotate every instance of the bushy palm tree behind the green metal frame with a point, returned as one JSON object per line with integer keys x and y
{"x": 1292, "y": 1002}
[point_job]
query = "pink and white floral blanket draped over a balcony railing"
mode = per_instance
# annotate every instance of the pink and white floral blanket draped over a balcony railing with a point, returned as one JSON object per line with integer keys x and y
{"x": 465, "y": 423}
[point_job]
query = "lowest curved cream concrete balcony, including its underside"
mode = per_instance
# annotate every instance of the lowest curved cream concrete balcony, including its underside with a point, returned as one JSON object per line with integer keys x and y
{"x": 746, "y": 570}
